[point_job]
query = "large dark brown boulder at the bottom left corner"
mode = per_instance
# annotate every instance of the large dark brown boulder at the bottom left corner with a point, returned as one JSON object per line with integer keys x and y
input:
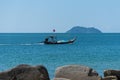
{"x": 25, "y": 72}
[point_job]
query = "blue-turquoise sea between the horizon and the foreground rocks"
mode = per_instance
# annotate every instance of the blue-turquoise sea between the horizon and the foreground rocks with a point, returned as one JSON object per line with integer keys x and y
{"x": 97, "y": 51}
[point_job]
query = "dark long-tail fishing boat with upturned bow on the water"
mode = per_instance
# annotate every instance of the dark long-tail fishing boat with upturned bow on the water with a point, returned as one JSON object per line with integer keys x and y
{"x": 52, "y": 40}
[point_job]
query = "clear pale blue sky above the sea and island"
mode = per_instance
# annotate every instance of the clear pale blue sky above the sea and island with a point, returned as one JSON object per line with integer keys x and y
{"x": 42, "y": 16}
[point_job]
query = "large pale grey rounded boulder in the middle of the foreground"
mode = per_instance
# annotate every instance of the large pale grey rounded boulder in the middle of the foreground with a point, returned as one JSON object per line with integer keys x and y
{"x": 76, "y": 72}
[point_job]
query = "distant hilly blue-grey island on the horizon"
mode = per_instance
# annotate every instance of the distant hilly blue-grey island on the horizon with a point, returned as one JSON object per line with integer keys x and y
{"x": 79, "y": 29}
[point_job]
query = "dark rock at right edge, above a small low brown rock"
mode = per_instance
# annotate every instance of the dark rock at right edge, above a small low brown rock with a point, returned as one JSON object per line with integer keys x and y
{"x": 112, "y": 73}
